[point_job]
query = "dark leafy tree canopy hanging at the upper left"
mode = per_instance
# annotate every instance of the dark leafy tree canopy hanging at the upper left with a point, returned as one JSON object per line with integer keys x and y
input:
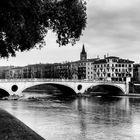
{"x": 24, "y": 23}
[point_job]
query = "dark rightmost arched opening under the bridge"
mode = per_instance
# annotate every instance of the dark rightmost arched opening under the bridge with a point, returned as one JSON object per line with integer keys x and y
{"x": 104, "y": 90}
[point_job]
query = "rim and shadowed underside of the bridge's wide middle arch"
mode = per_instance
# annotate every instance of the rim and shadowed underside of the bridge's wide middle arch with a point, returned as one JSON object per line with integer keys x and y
{"x": 65, "y": 89}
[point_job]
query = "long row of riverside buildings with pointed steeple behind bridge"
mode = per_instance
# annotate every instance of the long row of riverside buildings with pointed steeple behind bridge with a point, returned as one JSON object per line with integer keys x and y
{"x": 110, "y": 68}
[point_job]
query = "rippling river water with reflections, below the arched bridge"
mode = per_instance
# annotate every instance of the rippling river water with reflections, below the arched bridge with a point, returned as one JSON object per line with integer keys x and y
{"x": 86, "y": 118}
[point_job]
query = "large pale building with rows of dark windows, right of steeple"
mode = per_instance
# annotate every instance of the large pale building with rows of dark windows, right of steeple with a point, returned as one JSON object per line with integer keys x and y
{"x": 113, "y": 69}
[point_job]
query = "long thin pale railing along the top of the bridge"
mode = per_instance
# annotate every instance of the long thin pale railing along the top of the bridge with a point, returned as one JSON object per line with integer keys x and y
{"x": 60, "y": 80}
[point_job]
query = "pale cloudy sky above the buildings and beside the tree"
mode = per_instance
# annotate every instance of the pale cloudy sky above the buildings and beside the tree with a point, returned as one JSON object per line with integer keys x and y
{"x": 113, "y": 27}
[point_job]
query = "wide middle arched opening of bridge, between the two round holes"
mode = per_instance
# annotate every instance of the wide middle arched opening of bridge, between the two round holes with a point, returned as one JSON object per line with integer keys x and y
{"x": 50, "y": 89}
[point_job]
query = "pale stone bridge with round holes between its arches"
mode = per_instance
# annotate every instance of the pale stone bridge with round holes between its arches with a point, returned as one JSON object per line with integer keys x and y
{"x": 17, "y": 86}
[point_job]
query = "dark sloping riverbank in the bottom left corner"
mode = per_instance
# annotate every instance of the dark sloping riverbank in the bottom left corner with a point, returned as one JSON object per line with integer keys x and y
{"x": 13, "y": 129}
